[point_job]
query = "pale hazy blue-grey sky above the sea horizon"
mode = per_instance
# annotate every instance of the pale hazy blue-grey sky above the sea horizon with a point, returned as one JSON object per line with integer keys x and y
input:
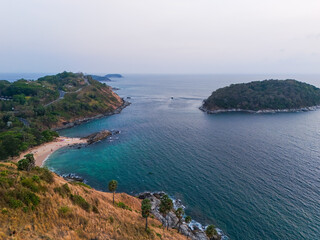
{"x": 163, "y": 36}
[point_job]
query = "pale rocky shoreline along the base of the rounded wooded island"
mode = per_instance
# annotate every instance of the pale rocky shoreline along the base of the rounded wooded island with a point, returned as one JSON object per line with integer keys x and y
{"x": 304, "y": 109}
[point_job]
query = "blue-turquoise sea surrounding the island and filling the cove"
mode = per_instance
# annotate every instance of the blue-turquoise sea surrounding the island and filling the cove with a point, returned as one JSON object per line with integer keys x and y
{"x": 254, "y": 176}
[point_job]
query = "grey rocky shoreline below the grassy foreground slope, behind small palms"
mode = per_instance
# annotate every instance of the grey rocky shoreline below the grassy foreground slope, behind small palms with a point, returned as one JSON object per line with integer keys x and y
{"x": 193, "y": 233}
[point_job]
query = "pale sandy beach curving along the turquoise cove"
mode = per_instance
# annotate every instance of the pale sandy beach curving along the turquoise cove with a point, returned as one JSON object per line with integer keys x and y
{"x": 42, "y": 152}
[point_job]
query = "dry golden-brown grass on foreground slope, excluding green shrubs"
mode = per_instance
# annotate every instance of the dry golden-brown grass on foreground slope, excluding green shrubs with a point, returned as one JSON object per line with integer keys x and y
{"x": 58, "y": 217}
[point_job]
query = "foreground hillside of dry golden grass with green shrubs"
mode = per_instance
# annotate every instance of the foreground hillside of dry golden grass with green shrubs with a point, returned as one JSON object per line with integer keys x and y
{"x": 41, "y": 205}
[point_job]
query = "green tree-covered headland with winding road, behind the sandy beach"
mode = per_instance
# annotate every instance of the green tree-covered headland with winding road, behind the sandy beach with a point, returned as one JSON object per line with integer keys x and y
{"x": 31, "y": 110}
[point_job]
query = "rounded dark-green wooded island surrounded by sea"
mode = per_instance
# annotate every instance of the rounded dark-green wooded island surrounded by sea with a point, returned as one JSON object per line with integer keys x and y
{"x": 264, "y": 96}
